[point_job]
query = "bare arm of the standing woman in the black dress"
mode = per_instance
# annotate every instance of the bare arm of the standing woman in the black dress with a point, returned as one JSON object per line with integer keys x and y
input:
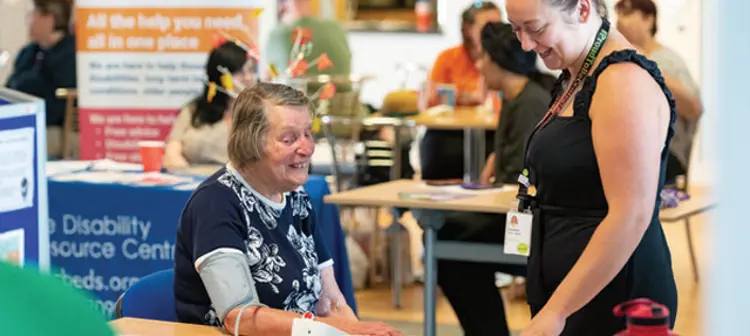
{"x": 630, "y": 118}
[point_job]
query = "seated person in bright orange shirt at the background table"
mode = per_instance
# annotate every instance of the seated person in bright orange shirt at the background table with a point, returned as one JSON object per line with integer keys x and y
{"x": 441, "y": 153}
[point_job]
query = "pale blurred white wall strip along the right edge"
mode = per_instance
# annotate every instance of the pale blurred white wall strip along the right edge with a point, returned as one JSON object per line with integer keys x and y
{"x": 726, "y": 48}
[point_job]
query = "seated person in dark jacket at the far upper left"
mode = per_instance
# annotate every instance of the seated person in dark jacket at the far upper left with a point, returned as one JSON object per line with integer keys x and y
{"x": 48, "y": 63}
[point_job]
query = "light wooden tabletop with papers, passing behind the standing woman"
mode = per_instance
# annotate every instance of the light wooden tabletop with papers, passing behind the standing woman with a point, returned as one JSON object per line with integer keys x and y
{"x": 387, "y": 195}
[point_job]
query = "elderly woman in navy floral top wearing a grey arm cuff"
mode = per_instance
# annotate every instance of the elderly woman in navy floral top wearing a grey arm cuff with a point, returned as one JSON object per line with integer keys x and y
{"x": 249, "y": 255}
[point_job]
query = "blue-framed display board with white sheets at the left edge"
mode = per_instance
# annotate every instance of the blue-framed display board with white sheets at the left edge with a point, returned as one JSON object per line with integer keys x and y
{"x": 24, "y": 229}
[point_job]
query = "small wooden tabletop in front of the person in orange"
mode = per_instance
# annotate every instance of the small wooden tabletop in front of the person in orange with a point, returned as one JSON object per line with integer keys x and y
{"x": 458, "y": 119}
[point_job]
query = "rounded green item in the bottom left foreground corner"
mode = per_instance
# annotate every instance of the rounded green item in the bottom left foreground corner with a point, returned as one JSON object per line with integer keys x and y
{"x": 32, "y": 303}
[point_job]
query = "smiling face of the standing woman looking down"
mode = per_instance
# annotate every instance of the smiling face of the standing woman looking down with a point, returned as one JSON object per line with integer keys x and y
{"x": 542, "y": 28}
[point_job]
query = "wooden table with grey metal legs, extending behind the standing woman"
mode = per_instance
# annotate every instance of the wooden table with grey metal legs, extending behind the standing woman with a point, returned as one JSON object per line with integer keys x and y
{"x": 387, "y": 195}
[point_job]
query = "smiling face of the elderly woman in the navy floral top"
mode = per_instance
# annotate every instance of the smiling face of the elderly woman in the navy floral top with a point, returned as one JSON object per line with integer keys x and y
{"x": 289, "y": 146}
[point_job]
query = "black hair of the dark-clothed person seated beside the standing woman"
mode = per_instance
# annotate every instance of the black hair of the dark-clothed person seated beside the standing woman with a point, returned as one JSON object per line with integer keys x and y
{"x": 504, "y": 49}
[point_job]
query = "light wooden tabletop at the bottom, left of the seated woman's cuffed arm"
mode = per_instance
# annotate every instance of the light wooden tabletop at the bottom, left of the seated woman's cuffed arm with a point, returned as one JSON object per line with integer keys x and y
{"x": 141, "y": 327}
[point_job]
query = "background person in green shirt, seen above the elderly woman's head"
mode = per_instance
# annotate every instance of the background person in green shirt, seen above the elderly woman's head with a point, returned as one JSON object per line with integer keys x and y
{"x": 327, "y": 37}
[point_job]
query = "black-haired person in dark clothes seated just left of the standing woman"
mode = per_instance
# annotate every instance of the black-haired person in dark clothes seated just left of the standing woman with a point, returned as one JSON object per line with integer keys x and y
{"x": 468, "y": 286}
